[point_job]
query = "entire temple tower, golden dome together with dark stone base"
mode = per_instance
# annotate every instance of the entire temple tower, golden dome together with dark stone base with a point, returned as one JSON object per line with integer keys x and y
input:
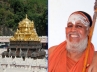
{"x": 25, "y": 42}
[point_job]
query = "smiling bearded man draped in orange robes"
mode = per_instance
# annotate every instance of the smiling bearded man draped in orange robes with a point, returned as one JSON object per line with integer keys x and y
{"x": 69, "y": 55}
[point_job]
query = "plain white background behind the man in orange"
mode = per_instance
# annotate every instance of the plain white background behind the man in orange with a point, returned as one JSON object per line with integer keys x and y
{"x": 58, "y": 13}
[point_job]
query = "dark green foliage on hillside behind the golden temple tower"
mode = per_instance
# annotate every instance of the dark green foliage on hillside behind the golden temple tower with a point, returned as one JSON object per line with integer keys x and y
{"x": 13, "y": 11}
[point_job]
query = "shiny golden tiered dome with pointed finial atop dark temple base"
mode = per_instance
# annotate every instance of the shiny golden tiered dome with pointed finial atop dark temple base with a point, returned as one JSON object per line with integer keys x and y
{"x": 25, "y": 32}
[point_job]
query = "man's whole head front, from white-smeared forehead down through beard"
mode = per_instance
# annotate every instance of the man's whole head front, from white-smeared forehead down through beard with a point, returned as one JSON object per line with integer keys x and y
{"x": 77, "y": 32}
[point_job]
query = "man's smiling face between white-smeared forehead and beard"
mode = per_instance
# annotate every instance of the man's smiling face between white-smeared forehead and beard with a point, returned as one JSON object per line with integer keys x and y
{"x": 76, "y": 31}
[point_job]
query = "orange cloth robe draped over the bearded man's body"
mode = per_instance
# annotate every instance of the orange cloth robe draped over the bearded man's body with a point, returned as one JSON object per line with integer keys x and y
{"x": 59, "y": 62}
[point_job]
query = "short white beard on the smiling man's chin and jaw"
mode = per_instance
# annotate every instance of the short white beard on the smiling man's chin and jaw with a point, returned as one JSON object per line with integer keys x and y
{"x": 78, "y": 46}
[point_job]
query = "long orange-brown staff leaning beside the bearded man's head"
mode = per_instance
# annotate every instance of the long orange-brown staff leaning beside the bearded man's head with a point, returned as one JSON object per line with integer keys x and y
{"x": 90, "y": 36}
